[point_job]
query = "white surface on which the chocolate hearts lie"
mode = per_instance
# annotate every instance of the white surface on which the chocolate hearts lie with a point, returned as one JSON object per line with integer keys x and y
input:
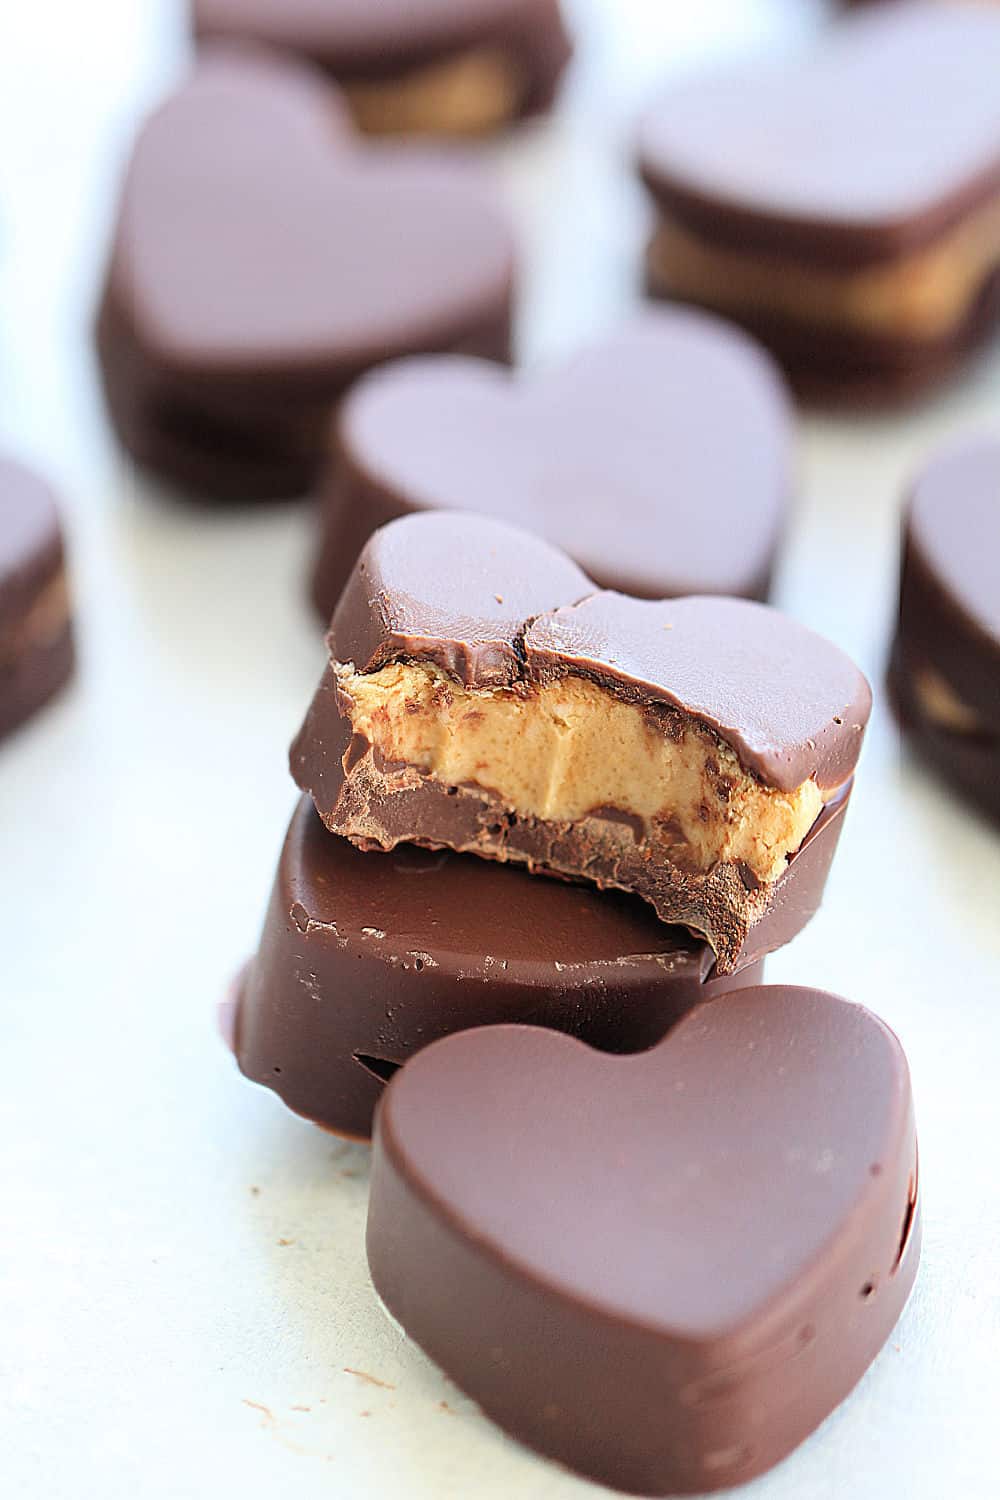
{"x": 182, "y": 1270}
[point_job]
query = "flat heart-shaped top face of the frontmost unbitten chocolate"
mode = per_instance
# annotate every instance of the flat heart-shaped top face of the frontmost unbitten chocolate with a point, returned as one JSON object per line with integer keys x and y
{"x": 717, "y": 1169}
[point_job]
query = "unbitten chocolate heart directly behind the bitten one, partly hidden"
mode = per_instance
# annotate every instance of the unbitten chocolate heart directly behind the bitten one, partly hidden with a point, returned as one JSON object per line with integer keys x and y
{"x": 660, "y": 460}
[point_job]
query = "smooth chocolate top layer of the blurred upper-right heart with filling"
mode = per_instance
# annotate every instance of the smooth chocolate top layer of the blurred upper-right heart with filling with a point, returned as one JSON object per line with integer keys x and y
{"x": 876, "y": 143}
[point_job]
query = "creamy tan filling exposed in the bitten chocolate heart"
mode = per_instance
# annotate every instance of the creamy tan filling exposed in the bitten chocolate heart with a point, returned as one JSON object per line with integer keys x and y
{"x": 569, "y": 749}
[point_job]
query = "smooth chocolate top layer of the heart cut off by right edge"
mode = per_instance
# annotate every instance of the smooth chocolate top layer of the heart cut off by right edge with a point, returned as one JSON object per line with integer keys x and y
{"x": 951, "y": 572}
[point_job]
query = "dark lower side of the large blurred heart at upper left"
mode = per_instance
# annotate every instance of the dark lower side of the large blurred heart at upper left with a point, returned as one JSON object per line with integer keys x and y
{"x": 260, "y": 443}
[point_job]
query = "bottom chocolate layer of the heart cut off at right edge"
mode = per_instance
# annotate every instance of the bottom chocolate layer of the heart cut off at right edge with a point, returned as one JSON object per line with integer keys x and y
{"x": 971, "y": 763}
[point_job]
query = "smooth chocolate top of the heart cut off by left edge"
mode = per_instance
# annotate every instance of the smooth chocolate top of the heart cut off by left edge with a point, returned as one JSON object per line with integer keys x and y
{"x": 31, "y": 539}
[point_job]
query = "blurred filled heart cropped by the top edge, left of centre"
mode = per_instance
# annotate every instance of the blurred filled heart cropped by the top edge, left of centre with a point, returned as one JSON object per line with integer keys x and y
{"x": 445, "y": 67}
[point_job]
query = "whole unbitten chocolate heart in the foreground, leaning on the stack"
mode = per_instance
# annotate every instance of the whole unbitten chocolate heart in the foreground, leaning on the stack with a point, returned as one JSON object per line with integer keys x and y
{"x": 663, "y": 1271}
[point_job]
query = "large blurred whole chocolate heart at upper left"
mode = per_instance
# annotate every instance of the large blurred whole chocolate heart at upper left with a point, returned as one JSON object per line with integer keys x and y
{"x": 263, "y": 260}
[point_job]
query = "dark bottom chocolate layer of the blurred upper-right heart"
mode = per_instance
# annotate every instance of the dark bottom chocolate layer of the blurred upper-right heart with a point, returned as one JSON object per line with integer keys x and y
{"x": 842, "y": 367}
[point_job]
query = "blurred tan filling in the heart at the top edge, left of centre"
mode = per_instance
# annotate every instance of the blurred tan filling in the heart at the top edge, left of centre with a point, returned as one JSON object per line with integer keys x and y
{"x": 469, "y": 95}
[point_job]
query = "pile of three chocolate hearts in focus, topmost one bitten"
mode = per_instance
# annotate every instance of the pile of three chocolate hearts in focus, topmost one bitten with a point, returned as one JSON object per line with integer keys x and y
{"x": 528, "y": 800}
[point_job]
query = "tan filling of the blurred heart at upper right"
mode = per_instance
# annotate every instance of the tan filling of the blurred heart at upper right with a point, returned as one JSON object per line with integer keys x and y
{"x": 923, "y": 295}
